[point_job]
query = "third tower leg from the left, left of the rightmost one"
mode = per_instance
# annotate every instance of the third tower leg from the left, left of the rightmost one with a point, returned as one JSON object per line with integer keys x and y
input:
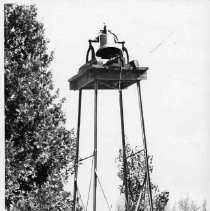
{"x": 124, "y": 150}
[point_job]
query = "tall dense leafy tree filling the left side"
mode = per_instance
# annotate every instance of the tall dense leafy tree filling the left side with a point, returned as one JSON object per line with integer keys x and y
{"x": 38, "y": 148}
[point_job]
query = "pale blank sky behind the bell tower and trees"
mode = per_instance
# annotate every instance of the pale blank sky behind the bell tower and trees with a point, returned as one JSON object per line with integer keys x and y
{"x": 172, "y": 38}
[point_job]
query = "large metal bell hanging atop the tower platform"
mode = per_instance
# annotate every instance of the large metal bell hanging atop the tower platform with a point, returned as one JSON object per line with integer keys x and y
{"x": 108, "y": 47}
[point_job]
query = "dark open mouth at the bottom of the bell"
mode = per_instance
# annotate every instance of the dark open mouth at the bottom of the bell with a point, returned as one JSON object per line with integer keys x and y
{"x": 108, "y": 52}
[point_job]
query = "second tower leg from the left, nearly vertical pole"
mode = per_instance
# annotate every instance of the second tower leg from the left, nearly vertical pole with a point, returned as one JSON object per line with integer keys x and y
{"x": 95, "y": 146}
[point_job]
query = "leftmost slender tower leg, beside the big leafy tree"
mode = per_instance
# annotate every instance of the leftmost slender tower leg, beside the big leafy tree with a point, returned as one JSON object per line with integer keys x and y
{"x": 77, "y": 150}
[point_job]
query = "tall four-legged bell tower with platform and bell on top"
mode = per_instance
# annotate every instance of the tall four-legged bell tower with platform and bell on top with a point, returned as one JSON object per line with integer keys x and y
{"x": 110, "y": 69}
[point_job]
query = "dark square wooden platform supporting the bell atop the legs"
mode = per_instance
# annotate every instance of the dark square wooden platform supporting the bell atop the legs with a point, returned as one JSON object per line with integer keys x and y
{"x": 107, "y": 77}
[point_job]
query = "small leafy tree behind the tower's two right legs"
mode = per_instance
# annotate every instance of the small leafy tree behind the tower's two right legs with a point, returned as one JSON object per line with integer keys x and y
{"x": 136, "y": 179}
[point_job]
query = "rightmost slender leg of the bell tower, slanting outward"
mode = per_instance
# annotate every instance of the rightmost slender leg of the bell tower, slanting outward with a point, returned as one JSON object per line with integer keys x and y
{"x": 145, "y": 145}
